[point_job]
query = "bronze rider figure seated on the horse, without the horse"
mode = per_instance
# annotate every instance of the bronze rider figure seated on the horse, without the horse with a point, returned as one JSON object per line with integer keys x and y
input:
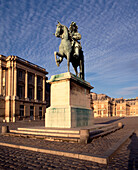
{"x": 75, "y": 37}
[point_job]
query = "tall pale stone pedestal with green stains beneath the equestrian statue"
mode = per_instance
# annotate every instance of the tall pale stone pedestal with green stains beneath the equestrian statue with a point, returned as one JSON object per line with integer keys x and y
{"x": 70, "y": 102}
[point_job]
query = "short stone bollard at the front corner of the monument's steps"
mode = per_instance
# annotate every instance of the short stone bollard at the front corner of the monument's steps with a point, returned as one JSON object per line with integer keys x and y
{"x": 84, "y": 136}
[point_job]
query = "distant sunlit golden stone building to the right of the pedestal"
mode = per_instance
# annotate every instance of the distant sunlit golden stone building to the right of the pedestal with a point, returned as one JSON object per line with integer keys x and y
{"x": 105, "y": 106}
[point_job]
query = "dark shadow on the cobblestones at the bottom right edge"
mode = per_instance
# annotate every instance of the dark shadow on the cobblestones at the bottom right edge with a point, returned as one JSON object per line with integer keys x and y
{"x": 133, "y": 156}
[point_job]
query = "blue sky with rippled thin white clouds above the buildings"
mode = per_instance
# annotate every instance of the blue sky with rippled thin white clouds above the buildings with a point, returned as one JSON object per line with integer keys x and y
{"x": 109, "y": 30}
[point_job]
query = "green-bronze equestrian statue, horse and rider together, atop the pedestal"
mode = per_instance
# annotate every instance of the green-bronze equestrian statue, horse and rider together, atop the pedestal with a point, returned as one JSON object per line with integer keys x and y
{"x": 70, "y": 48}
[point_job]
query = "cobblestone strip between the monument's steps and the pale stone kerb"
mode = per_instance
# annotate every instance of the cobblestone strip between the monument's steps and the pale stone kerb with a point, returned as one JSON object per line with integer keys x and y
{"x": 96, "y": 147}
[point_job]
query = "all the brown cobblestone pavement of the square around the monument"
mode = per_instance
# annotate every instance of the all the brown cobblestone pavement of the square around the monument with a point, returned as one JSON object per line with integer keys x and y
{"x": 126, "y": 157}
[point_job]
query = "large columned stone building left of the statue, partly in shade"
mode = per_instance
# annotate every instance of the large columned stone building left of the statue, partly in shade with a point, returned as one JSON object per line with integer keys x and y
{"x": 24, "y": 93}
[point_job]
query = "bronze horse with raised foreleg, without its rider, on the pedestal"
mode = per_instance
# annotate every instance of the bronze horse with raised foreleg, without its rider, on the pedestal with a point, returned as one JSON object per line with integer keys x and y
{"x": 66, "y": 51}
